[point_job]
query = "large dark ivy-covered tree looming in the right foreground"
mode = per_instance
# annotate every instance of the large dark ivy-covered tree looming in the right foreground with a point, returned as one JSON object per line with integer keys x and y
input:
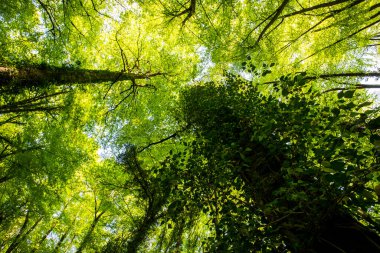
{"x": 284, "y": 173}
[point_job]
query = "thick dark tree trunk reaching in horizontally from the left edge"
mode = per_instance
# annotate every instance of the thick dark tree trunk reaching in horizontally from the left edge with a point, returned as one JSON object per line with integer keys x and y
{"x": 38, "y": 76}
